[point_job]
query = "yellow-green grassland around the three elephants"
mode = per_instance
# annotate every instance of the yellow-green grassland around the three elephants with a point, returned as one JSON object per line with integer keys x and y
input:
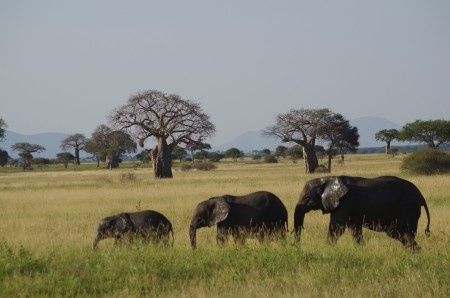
{"x": 48, "y": 217}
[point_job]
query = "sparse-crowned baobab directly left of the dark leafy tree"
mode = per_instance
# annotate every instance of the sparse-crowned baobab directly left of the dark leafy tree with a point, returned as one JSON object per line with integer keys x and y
{"x": 301, "y": 127}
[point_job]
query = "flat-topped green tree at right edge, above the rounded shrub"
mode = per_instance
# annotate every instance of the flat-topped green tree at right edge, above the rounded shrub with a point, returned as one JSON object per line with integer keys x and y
{"x": 434, "y": 133}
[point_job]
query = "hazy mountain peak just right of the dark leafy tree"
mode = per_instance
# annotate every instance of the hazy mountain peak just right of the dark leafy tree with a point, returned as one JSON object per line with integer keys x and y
{"x": 369, "y": 126}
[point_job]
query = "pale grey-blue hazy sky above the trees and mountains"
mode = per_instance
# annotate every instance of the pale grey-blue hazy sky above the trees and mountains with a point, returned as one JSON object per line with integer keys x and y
{"x": 65, "y": 66}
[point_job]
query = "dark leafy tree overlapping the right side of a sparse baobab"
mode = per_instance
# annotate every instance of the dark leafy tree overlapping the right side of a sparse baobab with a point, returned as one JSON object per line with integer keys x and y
{"x": 339, "y": 135}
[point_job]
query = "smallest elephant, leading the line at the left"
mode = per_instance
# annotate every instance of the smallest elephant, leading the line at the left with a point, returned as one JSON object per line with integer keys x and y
{"x": 149, "y": 225}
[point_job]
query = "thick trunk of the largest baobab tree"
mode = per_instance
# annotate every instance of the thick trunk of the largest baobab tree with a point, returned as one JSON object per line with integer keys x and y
{"x": 162, "y": 159}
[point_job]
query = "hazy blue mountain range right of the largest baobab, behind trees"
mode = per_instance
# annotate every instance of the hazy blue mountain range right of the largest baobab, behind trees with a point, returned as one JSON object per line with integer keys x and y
{"x": 254, "y": 140}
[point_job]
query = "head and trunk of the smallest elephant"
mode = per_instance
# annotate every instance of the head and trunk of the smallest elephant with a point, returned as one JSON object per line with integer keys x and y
{"x": 112, "y": 227}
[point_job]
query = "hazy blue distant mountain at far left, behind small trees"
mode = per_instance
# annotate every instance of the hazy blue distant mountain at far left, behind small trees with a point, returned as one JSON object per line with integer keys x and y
{"x": 50, "y": 140}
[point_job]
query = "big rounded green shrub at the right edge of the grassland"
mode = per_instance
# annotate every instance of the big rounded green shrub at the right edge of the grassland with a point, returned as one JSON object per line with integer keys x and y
{"x": 428, "y": 162}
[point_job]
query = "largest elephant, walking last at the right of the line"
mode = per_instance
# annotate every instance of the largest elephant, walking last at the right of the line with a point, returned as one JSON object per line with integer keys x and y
{"x": 387, "y": 204}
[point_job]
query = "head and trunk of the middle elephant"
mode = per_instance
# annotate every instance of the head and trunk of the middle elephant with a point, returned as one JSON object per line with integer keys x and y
{"x": 207, "y": 214}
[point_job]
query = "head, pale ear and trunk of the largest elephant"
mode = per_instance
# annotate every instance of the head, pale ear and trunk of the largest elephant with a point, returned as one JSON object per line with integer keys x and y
{"x": 322, "y": 193}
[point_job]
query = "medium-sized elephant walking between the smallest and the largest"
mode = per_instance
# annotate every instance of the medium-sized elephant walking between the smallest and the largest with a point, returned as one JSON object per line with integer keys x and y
{"x": 259, "y": 214}
